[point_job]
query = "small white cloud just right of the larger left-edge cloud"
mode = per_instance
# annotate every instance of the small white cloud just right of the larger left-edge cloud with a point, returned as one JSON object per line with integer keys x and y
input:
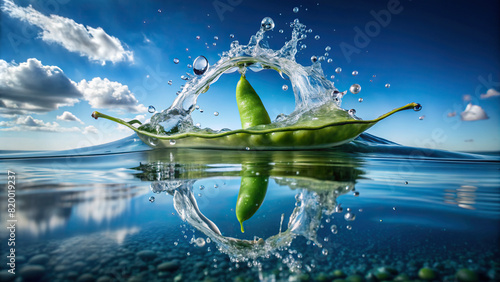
{"x": 102, "y": 93}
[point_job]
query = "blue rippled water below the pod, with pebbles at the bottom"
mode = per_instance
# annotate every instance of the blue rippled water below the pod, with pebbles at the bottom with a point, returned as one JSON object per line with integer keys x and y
{"x": 86, "y": 214}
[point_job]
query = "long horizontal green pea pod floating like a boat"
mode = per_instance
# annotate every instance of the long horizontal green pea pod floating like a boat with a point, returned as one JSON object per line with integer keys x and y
{"x": 334, "y": 127}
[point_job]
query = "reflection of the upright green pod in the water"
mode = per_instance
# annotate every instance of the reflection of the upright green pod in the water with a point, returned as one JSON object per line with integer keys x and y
{"x": 253, "y": 188}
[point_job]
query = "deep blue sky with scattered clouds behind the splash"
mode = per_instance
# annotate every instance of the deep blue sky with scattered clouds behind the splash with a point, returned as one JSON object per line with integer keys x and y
{"x": 60, "y": 60}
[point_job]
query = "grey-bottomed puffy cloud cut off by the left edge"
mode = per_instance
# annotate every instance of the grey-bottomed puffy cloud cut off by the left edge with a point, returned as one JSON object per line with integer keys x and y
{"x": 33, "y": 87}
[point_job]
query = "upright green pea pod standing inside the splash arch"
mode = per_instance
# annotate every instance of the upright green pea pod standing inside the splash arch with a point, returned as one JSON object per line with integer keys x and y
{"x": 252, "y": 111}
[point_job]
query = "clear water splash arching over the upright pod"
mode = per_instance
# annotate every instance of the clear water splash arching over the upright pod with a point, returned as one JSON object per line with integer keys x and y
{"x": 310, "y": 87}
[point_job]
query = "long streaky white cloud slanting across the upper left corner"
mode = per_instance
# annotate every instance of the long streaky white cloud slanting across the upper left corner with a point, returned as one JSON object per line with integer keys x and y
{"x": 93, "y": 43}
